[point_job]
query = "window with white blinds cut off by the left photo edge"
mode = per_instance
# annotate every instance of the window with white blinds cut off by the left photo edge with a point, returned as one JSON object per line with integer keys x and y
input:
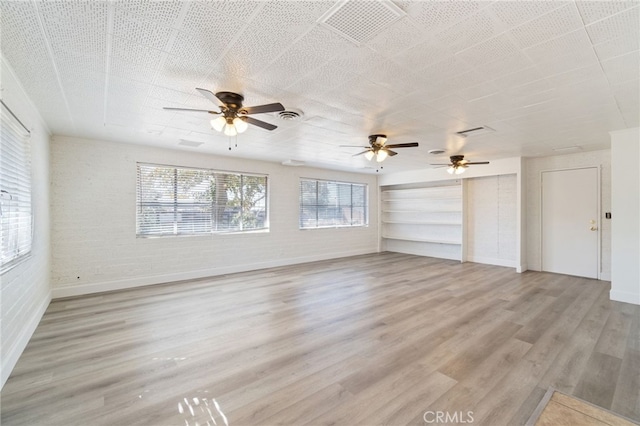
{"x": 16, "y": 219}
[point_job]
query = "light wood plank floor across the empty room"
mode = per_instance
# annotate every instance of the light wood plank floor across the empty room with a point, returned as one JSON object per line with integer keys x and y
{"x": 379, "y": 339}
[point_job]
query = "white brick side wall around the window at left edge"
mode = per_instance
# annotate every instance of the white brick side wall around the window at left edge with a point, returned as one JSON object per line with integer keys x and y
{"x": 24, "y": 290}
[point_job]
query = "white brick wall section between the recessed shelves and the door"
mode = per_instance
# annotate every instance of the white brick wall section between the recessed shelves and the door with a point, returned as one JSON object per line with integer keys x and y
{"x": 492, "y": 220}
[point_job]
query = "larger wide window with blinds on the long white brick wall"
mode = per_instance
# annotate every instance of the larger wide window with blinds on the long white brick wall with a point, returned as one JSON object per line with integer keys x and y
{"x": 185, "y": 201}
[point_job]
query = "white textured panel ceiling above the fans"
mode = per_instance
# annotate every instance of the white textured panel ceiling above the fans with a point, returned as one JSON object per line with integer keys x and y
{"x": 545, "y": 75}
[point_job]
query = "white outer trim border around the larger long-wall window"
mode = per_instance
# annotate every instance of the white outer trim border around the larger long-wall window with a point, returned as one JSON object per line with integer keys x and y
{"x": 264, "y": 230}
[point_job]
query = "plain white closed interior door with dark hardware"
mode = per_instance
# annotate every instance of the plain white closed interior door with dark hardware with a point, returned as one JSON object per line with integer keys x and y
{"x": 570, "y": 222}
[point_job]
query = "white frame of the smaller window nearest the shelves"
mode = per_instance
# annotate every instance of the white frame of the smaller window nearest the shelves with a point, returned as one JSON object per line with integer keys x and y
{"x": 301, "y": 206}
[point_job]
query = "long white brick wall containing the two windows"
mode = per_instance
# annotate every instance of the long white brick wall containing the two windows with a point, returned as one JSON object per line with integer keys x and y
{"x": 95, "y": 247}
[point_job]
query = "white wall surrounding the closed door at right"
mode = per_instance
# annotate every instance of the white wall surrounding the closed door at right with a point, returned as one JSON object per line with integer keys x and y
{"x": 569, "y": 161}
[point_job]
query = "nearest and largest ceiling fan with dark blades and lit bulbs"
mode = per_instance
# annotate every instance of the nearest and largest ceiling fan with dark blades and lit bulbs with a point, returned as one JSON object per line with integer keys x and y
{"x": 233, "y": 117}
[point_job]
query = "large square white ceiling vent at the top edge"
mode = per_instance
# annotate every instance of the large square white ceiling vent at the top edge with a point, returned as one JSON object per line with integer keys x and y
{"x": 359, "y": 21}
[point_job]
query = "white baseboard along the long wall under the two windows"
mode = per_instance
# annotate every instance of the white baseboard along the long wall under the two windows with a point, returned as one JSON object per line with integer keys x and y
{"x": 100, "y": 287}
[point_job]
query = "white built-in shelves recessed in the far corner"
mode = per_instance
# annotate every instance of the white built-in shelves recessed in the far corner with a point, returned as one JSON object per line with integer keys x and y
{"x": 427, "y": 221}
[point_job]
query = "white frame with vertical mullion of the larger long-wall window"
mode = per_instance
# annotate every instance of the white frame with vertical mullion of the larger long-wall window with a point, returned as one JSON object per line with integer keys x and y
{"x": 176, "y": 205}
